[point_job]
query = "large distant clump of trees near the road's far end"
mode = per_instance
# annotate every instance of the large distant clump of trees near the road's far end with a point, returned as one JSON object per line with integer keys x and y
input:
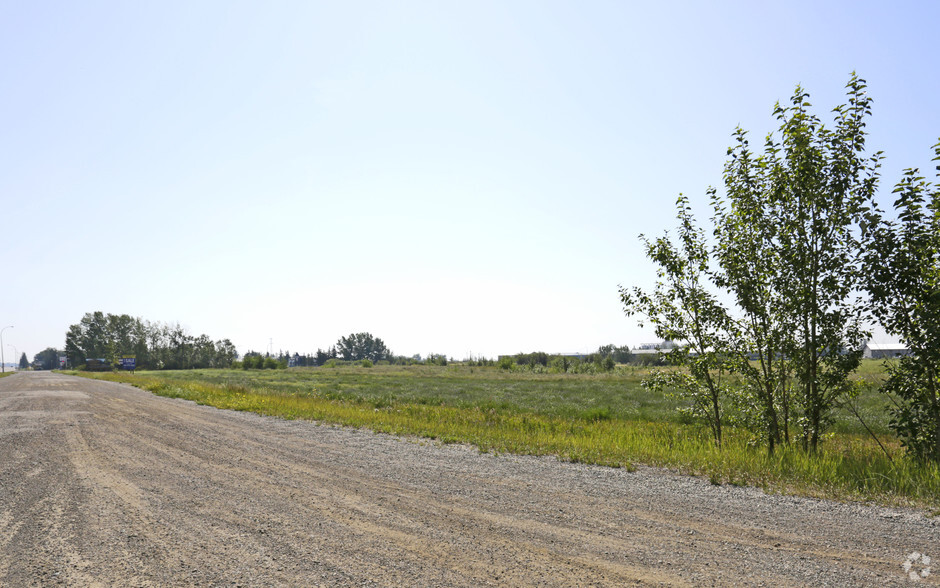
{"x": 155, "y": 345}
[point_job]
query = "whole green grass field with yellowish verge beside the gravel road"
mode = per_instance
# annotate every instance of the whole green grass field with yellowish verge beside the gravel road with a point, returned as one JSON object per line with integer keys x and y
{"x": 607, "y": 419}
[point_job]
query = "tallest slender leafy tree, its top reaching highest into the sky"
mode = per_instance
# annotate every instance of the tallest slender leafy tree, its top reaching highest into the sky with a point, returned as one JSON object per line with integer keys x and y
{"x": 820, "y": 186}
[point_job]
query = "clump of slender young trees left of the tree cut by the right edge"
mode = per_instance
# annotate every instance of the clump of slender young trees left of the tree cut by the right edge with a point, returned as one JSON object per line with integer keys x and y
{"x": 787, "y": 252}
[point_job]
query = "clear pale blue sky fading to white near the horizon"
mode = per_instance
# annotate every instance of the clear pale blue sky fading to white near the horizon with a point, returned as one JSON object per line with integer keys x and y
{"x": 453, "y": 177}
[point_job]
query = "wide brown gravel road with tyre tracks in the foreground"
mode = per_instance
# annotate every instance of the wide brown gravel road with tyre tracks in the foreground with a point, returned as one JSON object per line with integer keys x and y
{"x": 102, "y": 484}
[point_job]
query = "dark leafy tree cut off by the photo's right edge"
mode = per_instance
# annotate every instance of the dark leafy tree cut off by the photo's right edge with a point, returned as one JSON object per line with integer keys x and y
{"x": 903, "y": 278}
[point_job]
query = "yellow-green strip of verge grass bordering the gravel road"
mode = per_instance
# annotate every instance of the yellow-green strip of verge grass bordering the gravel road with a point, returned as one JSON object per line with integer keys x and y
{"x": 849, "y": 466}
